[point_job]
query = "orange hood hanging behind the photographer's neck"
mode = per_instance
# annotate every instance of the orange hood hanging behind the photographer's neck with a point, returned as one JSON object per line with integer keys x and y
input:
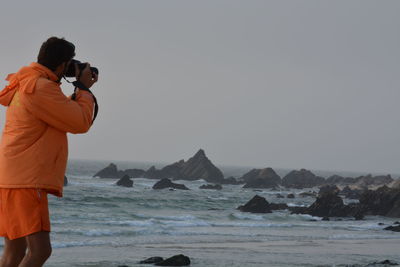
{"x": 24, "y": 81}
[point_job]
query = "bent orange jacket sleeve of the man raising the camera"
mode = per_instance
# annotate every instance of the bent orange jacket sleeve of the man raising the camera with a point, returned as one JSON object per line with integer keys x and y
{"x": 49, "y": 104}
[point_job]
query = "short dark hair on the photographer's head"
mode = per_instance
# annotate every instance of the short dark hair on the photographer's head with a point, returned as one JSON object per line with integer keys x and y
{"x": 54, "y": 52}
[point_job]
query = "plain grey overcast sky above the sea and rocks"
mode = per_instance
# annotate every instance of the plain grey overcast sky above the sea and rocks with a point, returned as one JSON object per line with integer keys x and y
{"x": 295, "y": 84}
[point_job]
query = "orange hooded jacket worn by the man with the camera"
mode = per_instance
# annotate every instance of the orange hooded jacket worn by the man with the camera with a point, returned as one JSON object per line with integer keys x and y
{"x": 34, "y": 148}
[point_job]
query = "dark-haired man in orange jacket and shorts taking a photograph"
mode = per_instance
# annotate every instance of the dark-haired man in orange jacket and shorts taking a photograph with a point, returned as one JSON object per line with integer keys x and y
{"x": 33, "y": 148}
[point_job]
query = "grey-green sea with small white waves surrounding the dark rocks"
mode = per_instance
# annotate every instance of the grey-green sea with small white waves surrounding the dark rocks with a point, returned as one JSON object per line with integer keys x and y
{"x": 97, "y": 223}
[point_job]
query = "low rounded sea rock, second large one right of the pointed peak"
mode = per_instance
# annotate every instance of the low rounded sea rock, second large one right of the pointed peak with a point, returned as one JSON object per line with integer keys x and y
{"x": 302, "y": 179}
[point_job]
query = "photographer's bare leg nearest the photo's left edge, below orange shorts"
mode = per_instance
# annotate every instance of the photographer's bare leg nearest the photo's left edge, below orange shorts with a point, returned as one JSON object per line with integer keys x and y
{"x": 14, "y": 252}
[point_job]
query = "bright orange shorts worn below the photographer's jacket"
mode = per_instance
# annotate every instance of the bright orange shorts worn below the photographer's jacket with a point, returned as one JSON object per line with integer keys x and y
{"x": 23, "y": 211}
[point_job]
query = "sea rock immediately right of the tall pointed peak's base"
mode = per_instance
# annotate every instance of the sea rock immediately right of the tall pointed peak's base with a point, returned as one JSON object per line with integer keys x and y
{"x": 261, "y": 178}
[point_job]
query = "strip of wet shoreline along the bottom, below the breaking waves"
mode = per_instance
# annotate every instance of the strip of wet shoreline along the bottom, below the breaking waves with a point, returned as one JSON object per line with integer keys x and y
{"x": 268, "y": 253}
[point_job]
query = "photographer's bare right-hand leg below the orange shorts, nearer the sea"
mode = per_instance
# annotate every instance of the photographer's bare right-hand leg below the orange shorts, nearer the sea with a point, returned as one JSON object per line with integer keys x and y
{"x": 39, "y": 250}
